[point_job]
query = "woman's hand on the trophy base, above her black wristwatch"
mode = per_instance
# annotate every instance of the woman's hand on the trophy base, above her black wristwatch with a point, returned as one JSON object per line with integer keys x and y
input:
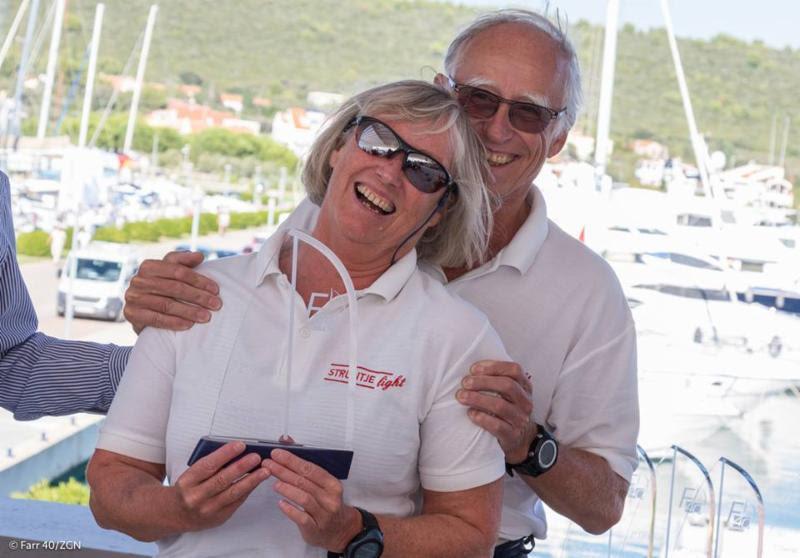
{"x": 313, "y": 501}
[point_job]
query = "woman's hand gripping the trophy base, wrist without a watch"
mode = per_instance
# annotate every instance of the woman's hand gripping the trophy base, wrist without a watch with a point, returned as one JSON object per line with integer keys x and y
{"x": 208, "y": 492}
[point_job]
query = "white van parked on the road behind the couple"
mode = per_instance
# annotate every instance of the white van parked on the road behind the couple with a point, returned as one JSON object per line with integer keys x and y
{"x": 104, "y": 271}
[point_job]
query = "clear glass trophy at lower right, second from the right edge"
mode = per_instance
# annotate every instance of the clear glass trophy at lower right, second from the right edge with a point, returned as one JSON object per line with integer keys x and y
{"x": 690, "y": 508}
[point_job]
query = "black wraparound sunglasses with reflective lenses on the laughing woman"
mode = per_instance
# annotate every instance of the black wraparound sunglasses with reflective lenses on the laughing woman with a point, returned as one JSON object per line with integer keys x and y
{"x": 424, "y": 172}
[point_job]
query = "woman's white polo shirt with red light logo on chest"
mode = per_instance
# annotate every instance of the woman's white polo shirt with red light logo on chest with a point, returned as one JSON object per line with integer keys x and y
{"x": 225, "y": 377}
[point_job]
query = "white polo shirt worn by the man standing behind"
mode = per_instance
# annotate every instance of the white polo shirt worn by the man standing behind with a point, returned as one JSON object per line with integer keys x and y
{"x": 562, "y": 315}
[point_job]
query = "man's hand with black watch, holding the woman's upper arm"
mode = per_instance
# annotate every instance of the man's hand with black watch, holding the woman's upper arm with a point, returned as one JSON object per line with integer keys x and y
{"x": 499, "y": 398}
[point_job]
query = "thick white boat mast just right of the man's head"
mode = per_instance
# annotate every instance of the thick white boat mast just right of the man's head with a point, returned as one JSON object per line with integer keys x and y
{"x": 606, "y": 91}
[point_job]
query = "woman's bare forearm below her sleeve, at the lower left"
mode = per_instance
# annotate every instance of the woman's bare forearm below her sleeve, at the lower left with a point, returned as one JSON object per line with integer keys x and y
{"x": 131, "y": 500}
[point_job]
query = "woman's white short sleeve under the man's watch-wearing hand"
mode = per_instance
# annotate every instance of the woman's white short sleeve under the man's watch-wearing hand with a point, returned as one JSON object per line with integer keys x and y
{"x": 455, "y": 454}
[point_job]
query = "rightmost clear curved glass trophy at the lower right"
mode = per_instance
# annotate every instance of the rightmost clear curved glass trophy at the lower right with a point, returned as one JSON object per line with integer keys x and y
{"x": 740, "y": 513}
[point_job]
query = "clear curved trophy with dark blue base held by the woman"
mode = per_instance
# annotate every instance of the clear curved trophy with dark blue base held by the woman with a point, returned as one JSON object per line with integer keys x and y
{"x": 335, "y": 461}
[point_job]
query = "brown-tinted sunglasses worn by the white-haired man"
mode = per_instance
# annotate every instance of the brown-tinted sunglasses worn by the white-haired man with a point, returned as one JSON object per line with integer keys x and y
{"x": 482, "y": 104}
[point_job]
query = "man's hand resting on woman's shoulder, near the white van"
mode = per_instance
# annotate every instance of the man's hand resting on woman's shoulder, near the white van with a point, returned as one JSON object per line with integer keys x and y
{"x": 167, "y": 294}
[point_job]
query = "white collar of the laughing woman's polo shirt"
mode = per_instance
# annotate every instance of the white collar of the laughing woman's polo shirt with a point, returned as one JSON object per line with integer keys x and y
{"x": 387, "y": 286}
